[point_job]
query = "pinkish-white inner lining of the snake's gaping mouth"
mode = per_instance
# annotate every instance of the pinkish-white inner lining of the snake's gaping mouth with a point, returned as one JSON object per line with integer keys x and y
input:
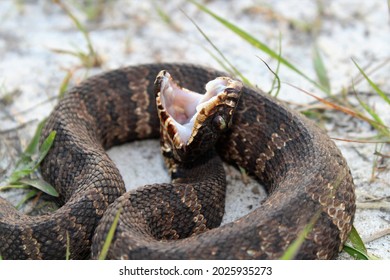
{"x": 183, "y": 105}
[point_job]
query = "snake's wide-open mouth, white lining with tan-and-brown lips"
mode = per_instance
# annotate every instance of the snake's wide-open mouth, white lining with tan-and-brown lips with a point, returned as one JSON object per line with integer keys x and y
{"x": 183, "y": 111}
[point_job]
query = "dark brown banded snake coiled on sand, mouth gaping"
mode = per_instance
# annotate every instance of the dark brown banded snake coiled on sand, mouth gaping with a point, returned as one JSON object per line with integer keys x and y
{"x": 310, "y": 189}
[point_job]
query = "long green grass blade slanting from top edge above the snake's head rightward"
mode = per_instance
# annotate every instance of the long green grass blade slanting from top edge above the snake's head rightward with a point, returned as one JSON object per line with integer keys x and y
{"x": 256, "y": 43}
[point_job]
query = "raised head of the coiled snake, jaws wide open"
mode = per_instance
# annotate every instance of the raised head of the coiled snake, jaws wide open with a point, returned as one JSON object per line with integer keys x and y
{"x": 190, "y": 122}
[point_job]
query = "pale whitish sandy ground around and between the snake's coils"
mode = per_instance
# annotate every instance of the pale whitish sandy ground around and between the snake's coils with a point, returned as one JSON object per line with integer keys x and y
{"x": 131, "y": 32}
